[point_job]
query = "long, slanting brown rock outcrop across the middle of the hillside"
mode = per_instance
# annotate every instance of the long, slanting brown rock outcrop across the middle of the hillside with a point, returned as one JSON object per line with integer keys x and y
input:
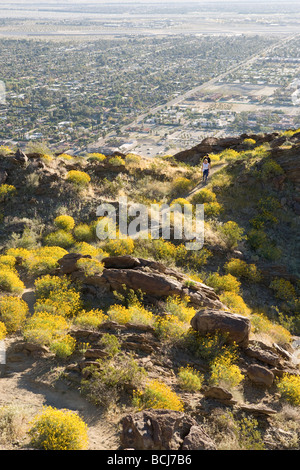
{"x": 154, "y": 279}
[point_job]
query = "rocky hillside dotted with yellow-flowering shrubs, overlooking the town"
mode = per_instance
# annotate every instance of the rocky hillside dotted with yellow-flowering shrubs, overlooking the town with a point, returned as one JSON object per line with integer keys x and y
{"x": 175, "y": 349}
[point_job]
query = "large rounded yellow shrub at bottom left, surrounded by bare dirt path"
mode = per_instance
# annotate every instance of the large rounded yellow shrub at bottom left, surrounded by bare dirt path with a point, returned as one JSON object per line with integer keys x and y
{"x": 54, "y": 429}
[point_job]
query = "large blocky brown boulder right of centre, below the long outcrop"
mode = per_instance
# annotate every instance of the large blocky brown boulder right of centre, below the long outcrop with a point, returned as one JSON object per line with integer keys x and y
{"x": 235, "y": 327}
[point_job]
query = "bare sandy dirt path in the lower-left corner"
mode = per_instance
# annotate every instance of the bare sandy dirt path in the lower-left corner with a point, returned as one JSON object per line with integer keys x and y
{"x": 30, "y": 384}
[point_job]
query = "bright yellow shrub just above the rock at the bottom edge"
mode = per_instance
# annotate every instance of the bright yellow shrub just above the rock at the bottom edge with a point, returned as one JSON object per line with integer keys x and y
{"x": 157, "y": 395}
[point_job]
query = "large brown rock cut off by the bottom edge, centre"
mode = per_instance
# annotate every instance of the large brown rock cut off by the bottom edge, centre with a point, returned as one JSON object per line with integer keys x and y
{"x": 163, "y": 430}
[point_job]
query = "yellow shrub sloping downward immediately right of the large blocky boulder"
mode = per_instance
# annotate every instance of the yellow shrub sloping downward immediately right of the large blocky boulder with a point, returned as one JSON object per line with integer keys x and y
{"x": 260, "y": 324}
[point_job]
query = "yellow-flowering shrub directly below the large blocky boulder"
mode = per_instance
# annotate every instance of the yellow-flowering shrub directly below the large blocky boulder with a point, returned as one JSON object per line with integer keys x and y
{"x": 225, "y": 372}
